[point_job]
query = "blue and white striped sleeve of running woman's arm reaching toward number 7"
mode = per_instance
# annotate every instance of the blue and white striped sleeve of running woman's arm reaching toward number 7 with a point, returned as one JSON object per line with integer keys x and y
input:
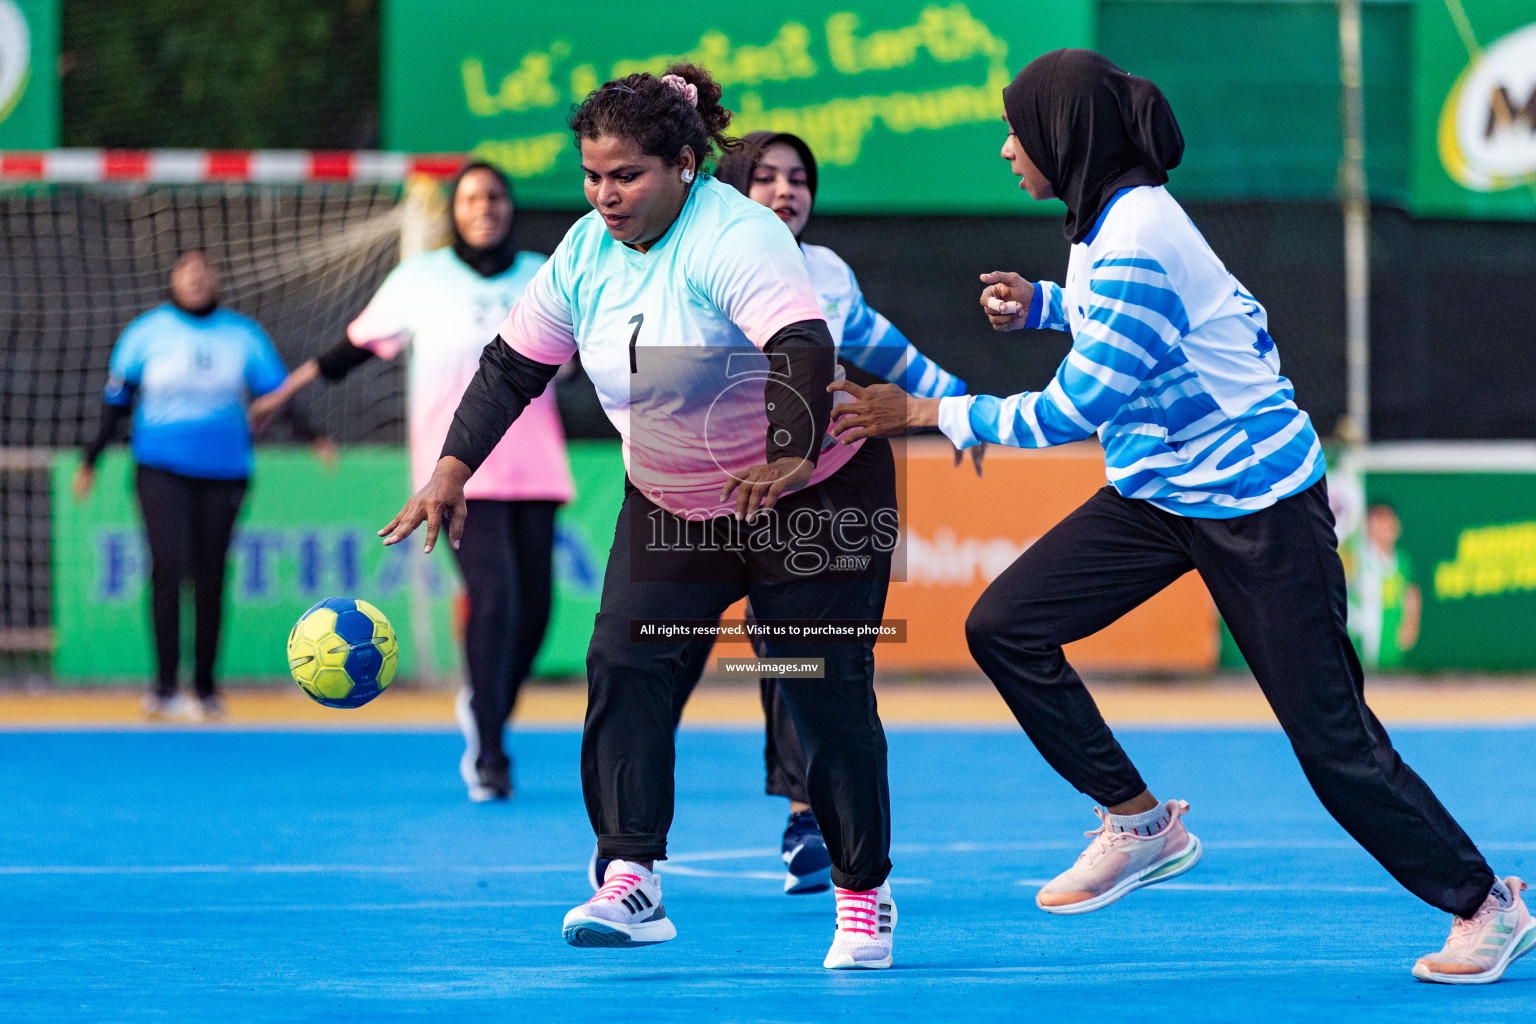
{"x": 1133, "y": 323}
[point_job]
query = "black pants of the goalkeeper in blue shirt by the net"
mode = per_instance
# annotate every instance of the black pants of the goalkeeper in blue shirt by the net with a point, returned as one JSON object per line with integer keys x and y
{"x": 190, "y": 523}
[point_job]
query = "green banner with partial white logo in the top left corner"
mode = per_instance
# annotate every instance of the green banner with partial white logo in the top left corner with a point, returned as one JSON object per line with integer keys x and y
{"x": 28, "y": 79}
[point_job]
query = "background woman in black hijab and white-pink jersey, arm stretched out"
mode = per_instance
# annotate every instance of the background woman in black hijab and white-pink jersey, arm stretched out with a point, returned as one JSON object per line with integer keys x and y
{"x": 442, "y": 306}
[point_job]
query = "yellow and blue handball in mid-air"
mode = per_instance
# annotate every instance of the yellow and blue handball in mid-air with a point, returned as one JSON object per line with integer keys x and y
{"x": 343, "y": 653}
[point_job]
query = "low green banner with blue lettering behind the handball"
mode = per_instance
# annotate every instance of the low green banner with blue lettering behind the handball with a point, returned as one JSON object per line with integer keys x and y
{"x": 306, "y": 533}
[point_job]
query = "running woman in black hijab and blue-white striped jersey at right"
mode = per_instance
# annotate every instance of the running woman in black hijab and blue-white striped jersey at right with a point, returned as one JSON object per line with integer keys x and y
{"x": 1213, "y": 467}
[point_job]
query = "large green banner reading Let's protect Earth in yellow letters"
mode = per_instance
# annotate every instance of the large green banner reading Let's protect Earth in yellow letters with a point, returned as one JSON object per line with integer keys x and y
{"x": 899, "y": 101}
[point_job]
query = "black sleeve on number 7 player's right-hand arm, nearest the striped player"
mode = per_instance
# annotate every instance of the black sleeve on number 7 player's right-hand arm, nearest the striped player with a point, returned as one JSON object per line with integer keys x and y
{"x": 795, "y": 428}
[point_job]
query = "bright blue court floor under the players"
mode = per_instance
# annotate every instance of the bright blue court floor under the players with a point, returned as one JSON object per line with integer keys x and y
{"x": 343, "y": 877}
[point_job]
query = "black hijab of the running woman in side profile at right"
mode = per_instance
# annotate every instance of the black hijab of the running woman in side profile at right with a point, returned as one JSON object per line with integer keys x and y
{"x": 1091, "y": 130}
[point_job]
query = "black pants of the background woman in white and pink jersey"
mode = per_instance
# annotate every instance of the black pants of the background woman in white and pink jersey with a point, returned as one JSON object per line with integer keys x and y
{"x": 506, "y": 557}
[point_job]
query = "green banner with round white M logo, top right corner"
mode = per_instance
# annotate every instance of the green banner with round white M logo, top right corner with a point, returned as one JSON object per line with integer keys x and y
{"x": 1475, "y": 110}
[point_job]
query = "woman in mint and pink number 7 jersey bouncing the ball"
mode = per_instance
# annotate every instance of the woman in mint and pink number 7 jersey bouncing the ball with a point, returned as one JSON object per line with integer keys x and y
{"x": 701, "y": 332}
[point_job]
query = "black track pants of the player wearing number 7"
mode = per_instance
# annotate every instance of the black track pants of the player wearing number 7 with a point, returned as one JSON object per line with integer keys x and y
{"x": 627, "y": 744}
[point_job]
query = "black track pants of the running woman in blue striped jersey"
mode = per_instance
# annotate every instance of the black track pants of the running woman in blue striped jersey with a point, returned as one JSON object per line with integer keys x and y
{"x": 1277, "y": 580}
